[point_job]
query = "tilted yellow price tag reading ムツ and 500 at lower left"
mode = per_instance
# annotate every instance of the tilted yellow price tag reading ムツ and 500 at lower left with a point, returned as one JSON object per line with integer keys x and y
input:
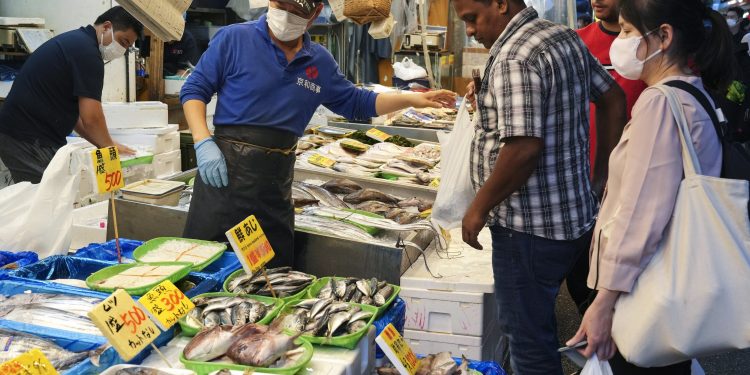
{"x": 125, "y": 325}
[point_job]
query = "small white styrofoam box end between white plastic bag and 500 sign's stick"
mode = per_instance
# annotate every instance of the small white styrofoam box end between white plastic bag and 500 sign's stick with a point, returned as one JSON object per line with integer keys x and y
{"x": 87, "y": 225}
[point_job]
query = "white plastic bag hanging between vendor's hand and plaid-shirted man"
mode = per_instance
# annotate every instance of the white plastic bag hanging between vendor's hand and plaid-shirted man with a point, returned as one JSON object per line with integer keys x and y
{"x": 455, "y": 192}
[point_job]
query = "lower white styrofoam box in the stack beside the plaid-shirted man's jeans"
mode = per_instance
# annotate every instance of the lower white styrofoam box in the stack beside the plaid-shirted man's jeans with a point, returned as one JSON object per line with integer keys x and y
{"x": 472, "y": 347}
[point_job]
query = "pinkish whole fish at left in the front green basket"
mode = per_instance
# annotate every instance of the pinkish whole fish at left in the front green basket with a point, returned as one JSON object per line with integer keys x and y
{"x": 213, "y": 343}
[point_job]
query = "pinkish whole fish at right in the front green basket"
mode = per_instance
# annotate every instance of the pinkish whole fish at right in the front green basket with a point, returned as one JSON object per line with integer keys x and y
{"x": 260, "y": 350}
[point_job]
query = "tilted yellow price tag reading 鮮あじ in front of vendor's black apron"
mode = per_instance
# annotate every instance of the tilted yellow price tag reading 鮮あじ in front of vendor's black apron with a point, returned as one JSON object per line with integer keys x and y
{"x": 250, "y": 244}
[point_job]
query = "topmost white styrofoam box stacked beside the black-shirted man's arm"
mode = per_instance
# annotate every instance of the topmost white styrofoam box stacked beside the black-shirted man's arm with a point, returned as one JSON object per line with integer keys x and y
{"x": 135, "y": 114}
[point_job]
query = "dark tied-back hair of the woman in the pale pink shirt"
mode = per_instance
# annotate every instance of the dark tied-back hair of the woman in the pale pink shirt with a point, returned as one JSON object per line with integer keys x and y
{"x": 701, "y": 36}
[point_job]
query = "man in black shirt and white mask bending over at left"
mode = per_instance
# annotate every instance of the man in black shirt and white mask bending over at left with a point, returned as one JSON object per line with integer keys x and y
{"x": 59, "y": 90}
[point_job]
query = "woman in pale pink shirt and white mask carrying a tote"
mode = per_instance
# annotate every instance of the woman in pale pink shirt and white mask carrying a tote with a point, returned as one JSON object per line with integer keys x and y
{"x": 660, "y": 41}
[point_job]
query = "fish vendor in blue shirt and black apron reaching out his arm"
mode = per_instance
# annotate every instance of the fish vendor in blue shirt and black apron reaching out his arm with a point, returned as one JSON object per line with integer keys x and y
{"x": 270, "y": 79}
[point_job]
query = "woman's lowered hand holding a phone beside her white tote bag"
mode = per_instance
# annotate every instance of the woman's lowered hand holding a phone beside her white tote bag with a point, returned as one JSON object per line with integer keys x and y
{"x": 596, "y": 327}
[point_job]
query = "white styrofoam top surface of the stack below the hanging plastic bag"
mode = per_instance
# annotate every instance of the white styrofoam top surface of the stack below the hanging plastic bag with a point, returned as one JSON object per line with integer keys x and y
{"x": 464, "y": 269}
